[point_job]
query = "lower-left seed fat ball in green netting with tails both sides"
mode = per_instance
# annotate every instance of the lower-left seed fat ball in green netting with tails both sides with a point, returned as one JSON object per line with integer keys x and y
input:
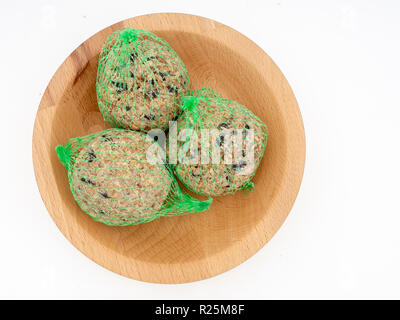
{"x": 112, "y": 180}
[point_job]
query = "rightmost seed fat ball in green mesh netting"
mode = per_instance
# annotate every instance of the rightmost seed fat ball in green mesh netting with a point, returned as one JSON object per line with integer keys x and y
{"x": 236, "y": 143}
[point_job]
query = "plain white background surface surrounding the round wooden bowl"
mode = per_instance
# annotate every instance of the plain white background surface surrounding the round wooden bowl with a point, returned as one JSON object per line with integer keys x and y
{"x": 342, "y": 237}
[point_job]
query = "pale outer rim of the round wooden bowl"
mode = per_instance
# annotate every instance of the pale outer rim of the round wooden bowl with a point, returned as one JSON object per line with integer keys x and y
{"x": 283, "y": 201}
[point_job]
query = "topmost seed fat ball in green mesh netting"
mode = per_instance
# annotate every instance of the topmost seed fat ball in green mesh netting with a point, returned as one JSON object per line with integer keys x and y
{"x": 140, "y": 81}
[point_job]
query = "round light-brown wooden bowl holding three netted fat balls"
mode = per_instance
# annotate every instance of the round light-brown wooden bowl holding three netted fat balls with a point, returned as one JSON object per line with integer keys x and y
{"x": 196, "y": 246}
